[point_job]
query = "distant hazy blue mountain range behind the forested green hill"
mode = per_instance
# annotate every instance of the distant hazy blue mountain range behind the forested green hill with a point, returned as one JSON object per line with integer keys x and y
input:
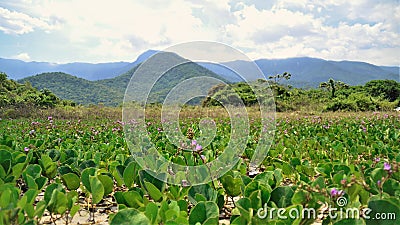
{"x": 306, "y": 71}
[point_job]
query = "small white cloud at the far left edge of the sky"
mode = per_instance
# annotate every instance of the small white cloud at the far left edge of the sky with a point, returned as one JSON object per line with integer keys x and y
{"x": 12, "y": 22}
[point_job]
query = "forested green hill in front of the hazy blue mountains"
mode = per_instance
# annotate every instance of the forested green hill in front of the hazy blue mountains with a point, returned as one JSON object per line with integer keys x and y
{"x": 111, "y": 91}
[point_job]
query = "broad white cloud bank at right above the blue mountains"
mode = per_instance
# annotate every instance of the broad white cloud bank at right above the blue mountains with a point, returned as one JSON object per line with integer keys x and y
{"x": 280, "y": 33}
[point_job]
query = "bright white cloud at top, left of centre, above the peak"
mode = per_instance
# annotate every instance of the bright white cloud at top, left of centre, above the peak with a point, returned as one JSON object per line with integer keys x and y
{"x": 154, "y": 23}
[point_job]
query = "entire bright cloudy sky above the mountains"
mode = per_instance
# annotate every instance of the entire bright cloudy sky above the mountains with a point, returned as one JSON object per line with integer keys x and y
{"x": 109, "y": 31}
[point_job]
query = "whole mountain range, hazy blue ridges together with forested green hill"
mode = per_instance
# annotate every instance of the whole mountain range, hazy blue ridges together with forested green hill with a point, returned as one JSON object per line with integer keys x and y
{"x": 87, "y": 83}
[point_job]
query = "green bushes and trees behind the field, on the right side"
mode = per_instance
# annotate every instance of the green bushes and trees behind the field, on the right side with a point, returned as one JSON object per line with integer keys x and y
{"x": 331, "y": 96}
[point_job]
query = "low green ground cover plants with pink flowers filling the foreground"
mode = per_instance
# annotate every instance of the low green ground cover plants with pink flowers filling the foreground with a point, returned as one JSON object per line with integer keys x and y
{"x": 54, "y": 169}
